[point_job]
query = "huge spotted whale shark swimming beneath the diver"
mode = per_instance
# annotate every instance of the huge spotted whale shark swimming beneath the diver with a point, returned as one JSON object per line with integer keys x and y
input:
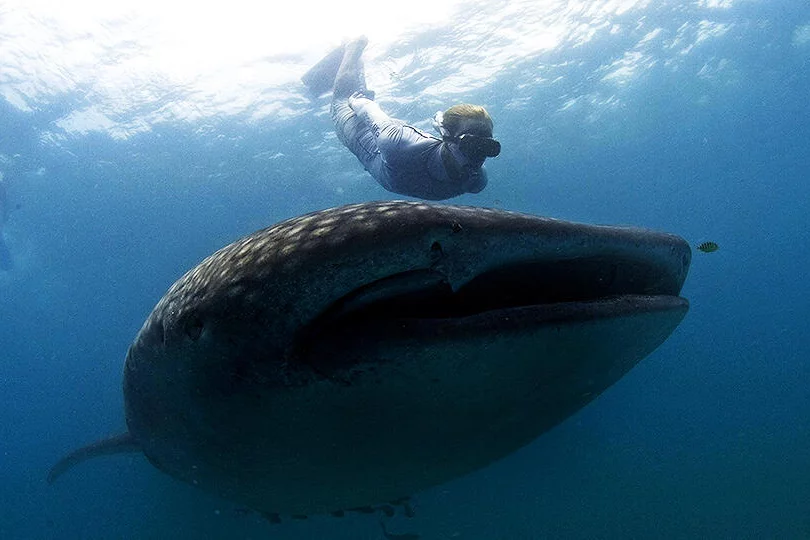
{"x": 357, "y": 355}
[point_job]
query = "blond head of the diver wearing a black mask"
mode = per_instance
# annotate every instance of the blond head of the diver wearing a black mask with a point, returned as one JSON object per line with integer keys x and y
{"x": 470, "y": 127}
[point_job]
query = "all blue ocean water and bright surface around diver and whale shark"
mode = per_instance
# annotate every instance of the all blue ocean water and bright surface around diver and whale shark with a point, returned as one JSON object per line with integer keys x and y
{"x": 135, "y": 139}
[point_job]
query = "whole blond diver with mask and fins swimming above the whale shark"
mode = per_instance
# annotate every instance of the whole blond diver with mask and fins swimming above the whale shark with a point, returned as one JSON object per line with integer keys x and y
{"x": 400, "y": 157}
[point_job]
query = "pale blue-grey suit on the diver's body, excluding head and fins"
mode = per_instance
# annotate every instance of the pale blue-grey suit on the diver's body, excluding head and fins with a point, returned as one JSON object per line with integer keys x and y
{"x": 402, "y": 158}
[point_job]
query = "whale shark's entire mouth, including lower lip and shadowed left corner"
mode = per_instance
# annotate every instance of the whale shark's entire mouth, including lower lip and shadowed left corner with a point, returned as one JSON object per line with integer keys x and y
{"x": 421, "y": 305}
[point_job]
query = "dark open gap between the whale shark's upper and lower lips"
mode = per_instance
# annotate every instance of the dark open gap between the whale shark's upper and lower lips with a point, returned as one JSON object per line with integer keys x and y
{"x": 427, "y": 294}
